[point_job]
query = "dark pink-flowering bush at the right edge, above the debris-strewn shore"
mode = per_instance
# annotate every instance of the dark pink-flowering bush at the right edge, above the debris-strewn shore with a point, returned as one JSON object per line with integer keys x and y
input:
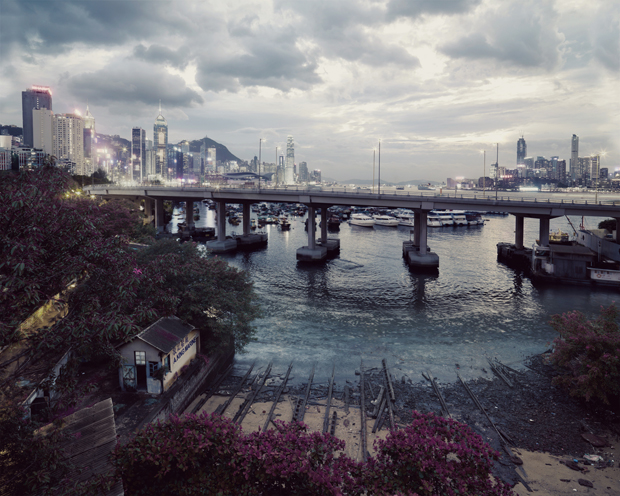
{"x": 589, "y": 351}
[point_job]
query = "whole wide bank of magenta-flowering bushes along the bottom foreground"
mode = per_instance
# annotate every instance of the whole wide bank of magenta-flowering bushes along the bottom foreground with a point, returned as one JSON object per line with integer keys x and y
{"x": 210, "y": 455}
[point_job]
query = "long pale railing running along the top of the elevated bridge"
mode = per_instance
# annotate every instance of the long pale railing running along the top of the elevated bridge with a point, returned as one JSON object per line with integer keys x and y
{"x": 356, "y": 193}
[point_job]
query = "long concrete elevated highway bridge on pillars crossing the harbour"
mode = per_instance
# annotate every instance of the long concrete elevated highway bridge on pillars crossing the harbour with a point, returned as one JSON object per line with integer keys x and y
{"x": 542, "y": 206}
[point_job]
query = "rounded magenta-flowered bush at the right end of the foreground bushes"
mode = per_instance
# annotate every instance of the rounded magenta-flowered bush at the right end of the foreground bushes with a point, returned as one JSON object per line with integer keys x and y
{"x": 433, "y": 456}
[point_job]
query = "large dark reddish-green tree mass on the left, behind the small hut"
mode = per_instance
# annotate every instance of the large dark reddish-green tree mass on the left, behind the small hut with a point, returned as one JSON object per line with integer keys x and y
{"x": 71, "y": 251}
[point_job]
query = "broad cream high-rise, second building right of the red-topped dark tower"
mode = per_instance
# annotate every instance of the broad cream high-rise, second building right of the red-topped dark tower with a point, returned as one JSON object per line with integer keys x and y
{"x": 68, "y": 142}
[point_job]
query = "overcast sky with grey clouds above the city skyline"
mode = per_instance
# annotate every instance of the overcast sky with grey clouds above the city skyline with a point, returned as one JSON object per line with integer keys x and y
{"x": 435, "y": 80}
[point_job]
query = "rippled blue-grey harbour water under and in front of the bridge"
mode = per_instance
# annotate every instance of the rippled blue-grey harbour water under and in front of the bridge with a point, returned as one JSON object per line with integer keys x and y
{"x": 367, "y": 305}
